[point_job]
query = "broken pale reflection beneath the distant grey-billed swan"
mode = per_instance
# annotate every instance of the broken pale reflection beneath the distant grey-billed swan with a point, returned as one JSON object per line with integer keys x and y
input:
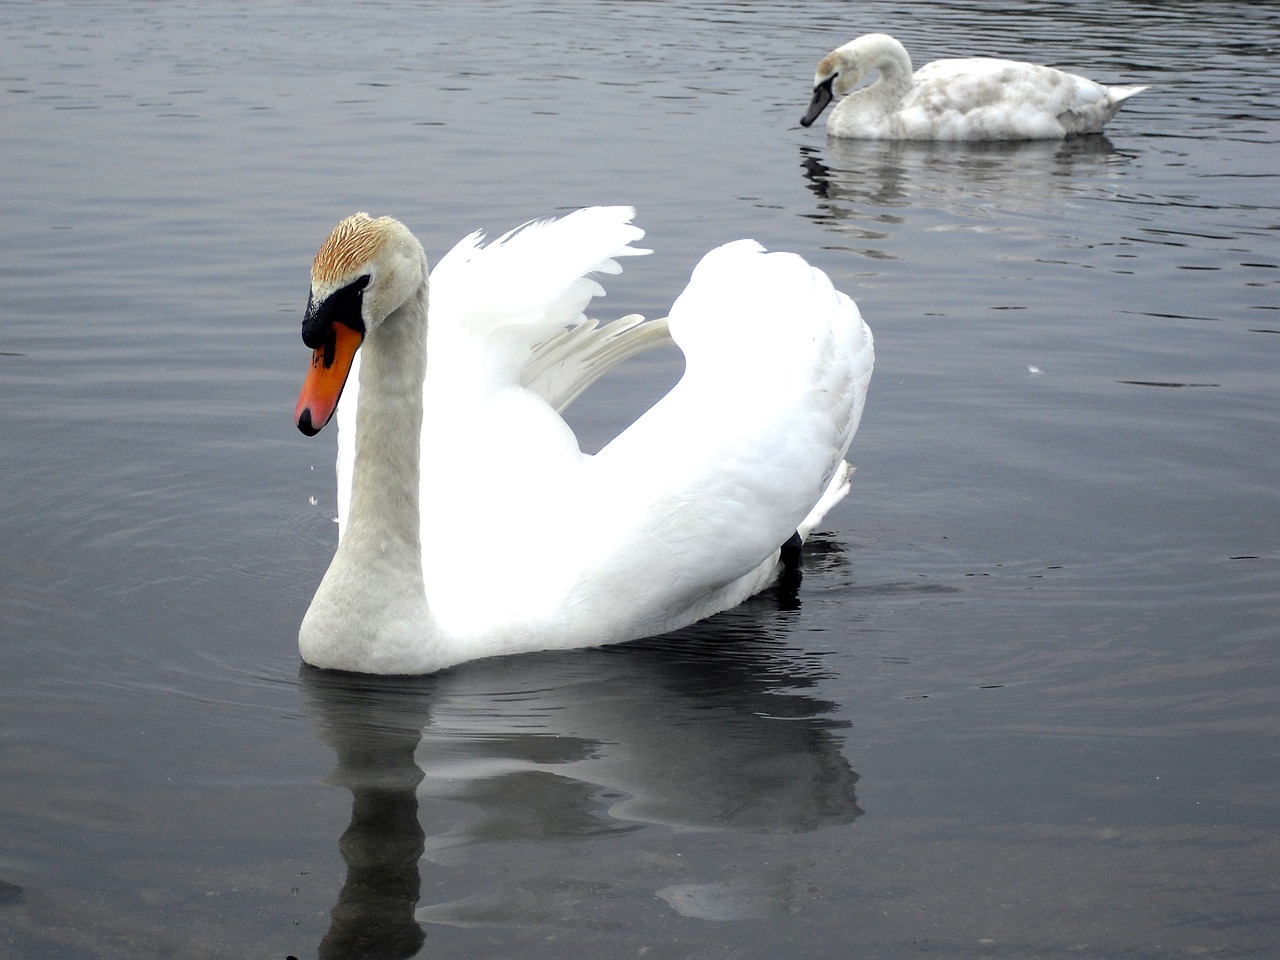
{"x": 867, "y": 186}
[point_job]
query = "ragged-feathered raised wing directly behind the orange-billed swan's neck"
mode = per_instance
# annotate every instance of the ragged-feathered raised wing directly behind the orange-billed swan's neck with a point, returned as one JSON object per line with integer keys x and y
{"x": 509, "y": 345}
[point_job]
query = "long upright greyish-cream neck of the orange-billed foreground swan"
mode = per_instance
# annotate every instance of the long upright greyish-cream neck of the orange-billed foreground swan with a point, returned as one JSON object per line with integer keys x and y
{"x": 371, "y": 610}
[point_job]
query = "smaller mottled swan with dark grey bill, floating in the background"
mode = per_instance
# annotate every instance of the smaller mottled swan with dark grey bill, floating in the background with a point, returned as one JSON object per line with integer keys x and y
{"x": 972, "y": 99}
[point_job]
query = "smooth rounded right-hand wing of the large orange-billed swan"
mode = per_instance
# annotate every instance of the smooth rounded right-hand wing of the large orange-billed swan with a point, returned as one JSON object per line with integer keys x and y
{"x": 689, "y": 506}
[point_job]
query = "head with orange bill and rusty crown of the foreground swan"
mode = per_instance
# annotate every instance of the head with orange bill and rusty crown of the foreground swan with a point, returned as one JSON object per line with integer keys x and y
{"x": 364, "y": 273}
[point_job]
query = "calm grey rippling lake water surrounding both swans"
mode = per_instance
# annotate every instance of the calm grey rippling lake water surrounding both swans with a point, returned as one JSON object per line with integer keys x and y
{"x": 1025, "y": 702}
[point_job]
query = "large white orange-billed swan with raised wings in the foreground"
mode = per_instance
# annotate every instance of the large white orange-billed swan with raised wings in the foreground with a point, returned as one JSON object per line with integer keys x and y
{"x": 470, "y": 522}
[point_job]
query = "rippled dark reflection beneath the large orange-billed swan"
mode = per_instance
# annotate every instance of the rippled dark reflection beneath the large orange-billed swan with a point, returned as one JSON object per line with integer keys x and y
{"x": 702, "y": 730}
